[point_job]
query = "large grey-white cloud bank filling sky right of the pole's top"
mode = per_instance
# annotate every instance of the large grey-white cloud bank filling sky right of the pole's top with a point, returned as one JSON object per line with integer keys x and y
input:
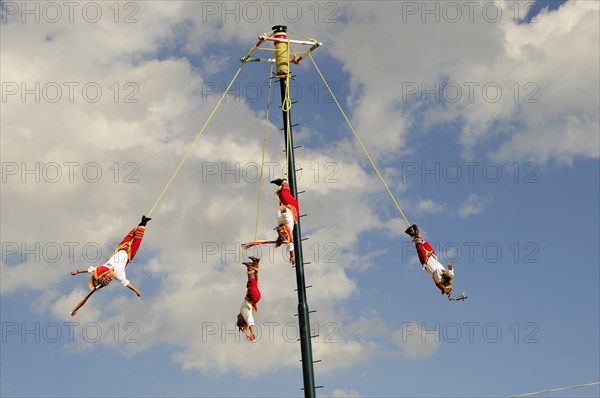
{"x": 537, "y": 116}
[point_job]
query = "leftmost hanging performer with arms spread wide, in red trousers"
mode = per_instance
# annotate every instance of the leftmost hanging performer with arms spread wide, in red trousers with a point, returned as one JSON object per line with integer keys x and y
{"x": 114, "y": 268}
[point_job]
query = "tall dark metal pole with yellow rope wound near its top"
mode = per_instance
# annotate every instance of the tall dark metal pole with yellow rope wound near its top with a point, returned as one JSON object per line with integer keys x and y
{"x": 282, "y": 57}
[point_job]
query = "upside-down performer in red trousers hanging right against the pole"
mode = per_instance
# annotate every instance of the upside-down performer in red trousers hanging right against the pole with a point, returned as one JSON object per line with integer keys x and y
{"x": 287, "y": 215}
